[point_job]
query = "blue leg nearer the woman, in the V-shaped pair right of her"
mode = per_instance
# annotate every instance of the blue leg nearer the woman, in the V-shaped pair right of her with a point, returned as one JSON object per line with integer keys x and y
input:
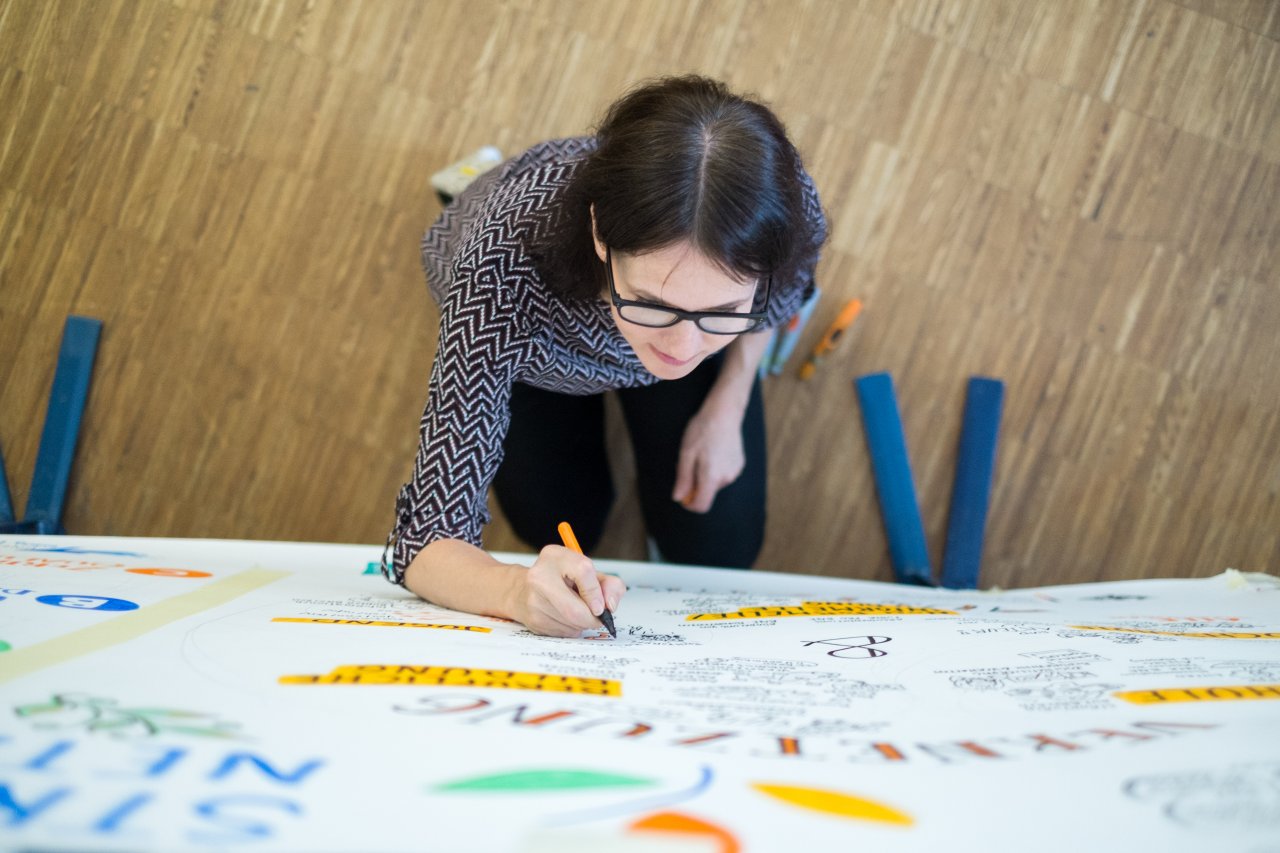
{"x": 892, "y": 467}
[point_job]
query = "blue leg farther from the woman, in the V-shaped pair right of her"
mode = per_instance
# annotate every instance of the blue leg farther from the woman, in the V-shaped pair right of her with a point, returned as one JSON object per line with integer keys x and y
{"x": 971, "y": 496}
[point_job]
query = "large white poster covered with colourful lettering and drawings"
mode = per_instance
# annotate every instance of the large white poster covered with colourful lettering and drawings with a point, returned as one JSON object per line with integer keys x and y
{"x": 179, "y": 695}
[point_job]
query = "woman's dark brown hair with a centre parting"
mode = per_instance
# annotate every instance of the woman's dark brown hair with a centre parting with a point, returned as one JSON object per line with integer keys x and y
{"x": 683, "y": 159}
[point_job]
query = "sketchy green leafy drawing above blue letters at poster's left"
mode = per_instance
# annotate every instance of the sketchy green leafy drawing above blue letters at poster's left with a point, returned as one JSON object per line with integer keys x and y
{"x": 103, "y": 715}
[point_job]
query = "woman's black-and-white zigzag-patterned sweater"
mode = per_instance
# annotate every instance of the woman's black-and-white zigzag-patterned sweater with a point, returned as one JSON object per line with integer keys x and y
{"x": 500, "y": 323}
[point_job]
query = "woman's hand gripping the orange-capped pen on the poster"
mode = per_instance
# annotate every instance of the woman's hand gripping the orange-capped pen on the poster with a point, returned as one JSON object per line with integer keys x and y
{"x": 563, "y": 594}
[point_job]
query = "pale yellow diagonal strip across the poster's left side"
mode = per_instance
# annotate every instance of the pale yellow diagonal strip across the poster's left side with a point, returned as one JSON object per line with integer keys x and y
{"x": 132, "y": 626}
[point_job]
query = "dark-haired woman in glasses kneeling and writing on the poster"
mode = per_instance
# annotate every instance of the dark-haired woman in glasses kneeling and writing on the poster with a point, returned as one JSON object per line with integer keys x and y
{"x": 646, "y": 259}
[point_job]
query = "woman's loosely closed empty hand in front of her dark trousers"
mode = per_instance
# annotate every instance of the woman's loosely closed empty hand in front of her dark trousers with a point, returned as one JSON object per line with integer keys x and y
{"x": 711, "y": 457}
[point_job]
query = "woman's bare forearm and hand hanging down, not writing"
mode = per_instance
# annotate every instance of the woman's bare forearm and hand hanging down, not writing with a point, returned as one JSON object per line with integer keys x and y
{"x": 712, "y": 455}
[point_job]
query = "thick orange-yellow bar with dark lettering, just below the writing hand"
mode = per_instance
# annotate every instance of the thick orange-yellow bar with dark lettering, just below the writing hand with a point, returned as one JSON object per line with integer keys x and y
{"x": 459, "y": 677}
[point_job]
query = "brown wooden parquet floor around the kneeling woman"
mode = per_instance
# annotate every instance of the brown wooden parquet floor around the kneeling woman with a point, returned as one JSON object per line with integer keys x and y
{"x": 1080, "y": 198}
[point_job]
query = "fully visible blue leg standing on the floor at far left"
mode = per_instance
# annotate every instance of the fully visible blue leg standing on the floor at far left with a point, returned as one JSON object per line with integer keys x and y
{"x": 62, "y": 425}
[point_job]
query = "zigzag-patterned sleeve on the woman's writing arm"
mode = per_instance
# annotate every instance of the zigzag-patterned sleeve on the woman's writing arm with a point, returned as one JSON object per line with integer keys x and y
{"x": 467, "y": 414}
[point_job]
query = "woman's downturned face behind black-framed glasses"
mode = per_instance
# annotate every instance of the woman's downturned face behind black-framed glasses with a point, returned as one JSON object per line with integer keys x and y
{"x": 680, "y": 277}
